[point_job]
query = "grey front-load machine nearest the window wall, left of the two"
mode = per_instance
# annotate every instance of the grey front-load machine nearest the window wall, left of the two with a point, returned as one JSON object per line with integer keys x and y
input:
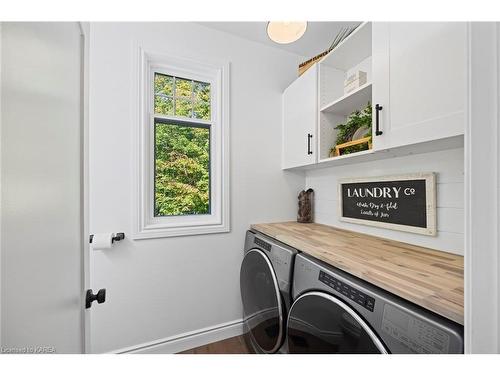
{"x": 265, "y": 284}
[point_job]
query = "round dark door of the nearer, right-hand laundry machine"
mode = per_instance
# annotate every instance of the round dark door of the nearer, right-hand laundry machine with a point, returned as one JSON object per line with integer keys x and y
{"x": 321, "y": 323}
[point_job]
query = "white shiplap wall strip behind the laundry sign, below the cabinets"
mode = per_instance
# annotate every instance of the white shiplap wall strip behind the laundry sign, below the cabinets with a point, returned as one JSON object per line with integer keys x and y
{"x": 449, "y": 166}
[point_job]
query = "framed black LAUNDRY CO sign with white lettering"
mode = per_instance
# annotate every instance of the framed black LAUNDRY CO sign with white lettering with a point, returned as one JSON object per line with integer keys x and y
{"x": 404, "y": 202}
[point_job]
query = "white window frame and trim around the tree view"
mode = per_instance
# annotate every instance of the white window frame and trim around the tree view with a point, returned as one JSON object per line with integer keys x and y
{"x": 146, "y": 225}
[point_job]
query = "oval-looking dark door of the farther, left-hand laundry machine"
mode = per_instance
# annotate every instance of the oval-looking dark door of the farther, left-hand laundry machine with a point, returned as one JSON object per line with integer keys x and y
{"x": 262, "y": 305}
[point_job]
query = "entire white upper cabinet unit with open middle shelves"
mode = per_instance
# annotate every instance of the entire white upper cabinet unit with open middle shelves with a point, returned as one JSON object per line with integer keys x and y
{"x": 416, "y": 81}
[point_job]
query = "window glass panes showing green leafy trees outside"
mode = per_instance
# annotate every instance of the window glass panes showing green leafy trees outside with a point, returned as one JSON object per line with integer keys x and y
{"x": 182, "y": 150}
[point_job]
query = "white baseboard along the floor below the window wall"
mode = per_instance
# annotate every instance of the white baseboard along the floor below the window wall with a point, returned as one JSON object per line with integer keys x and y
{"x": 186, "y": 341}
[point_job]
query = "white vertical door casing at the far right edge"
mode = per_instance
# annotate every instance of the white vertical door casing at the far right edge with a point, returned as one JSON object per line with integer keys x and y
{"x": 482, "y": 192}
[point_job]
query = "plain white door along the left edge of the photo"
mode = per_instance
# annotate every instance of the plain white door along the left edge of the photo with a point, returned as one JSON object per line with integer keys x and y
{"x": 40, "y": 197}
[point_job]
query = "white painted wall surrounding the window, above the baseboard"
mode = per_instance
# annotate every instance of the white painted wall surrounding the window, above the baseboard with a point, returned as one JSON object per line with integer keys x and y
{"x": 161, "y": 288}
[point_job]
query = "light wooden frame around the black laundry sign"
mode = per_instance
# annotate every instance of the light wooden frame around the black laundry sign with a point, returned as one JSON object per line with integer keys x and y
{"x": 430, "y": 196}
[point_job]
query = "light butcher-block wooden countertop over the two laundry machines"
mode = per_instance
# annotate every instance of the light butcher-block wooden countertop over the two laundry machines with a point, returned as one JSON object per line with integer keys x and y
{"x": 429, "y": 278}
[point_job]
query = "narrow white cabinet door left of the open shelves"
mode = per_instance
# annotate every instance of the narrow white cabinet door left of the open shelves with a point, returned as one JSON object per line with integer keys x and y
{"x": 300, "y": 111}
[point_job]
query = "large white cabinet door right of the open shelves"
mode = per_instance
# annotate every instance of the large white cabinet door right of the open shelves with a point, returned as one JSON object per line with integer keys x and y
{"x": 419, "y": 79}
